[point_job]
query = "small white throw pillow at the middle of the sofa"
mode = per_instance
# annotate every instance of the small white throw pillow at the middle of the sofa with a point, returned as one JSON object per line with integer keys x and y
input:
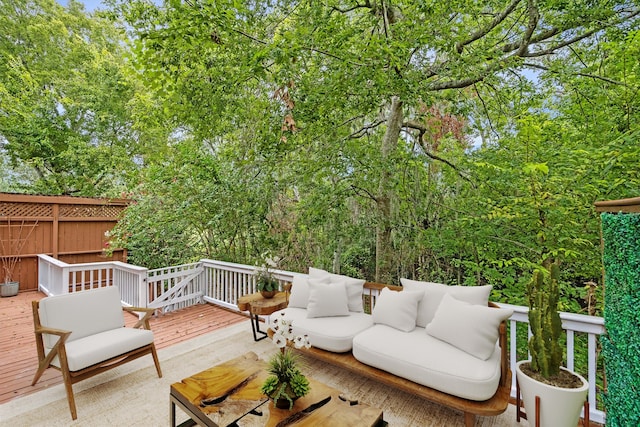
{"x": 397, "y": 309}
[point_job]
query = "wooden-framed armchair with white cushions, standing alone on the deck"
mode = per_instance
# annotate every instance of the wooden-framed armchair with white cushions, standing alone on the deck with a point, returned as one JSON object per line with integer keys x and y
{"x": 83, "y": 334}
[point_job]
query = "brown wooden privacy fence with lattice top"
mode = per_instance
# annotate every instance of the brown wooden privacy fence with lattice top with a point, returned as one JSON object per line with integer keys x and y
{"x": 71, "y": 229}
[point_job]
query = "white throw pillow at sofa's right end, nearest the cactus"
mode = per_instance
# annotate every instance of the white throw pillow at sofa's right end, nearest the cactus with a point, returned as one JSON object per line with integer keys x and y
{"x": 471, "y": 328}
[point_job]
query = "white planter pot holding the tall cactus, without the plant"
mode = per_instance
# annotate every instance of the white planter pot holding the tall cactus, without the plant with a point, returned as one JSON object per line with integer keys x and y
{"x": 559, "y": 407}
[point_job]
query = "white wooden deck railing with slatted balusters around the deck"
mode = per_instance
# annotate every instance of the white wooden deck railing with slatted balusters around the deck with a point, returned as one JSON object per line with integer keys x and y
{"x": 222, "y": 283}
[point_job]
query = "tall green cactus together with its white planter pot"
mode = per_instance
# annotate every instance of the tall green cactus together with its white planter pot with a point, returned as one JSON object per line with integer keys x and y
{"x": 553, "y": 392}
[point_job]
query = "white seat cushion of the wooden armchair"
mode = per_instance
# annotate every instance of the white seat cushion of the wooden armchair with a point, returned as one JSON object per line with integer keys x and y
{"x": 87, "y": 351}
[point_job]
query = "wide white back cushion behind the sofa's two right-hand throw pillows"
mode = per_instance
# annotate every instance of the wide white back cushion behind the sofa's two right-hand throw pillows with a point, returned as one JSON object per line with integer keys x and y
{"x": 433, "y": 293}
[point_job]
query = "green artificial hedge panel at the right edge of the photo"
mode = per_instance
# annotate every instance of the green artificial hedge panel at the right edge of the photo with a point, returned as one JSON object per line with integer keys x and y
{"x": 621, "y": 345}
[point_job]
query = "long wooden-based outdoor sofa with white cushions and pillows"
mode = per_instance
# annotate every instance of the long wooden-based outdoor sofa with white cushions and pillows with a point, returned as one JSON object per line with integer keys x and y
{"x": 446, "y": 344}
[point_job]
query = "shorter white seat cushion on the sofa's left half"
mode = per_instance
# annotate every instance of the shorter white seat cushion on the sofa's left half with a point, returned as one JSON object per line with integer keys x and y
{"x": 327, "y": 333}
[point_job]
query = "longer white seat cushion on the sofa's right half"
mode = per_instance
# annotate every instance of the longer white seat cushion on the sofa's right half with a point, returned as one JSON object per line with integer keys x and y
{"x": 428, "y": 361}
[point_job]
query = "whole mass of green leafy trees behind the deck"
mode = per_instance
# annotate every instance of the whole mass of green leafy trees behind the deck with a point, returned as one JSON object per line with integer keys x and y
{"x": 249, "y": 127}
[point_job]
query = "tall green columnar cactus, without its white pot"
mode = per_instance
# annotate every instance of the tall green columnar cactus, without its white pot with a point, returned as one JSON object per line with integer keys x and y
{"x": 545, "y": 323}
